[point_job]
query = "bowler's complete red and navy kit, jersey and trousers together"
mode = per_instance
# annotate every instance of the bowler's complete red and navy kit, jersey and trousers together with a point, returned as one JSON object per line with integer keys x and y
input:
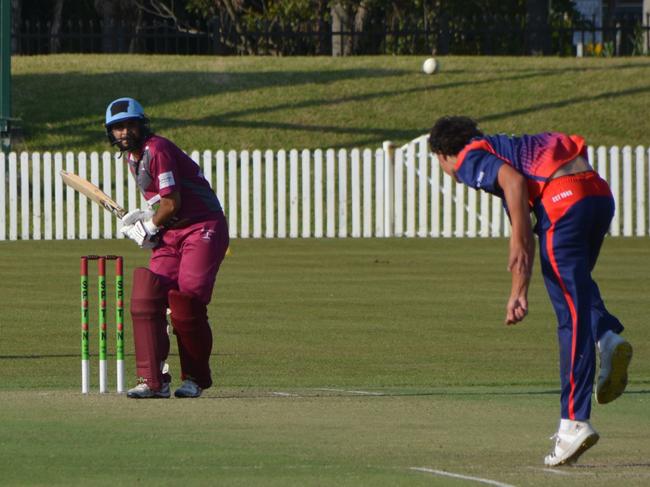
{"x": 573, "y": 214}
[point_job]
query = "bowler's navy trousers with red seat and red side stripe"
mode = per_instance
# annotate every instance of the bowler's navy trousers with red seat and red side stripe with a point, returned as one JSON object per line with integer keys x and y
{"x": 573, "y": 216}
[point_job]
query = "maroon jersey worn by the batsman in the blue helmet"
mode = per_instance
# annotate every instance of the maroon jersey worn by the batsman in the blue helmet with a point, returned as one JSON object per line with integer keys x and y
{"x": 163, "y": 169}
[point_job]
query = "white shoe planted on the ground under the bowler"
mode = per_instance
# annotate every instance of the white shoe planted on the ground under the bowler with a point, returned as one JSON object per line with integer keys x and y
{"x": 572, "y": 440}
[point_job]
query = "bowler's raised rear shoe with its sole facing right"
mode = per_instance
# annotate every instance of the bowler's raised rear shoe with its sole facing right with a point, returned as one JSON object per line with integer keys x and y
{"x": 615, "y": 357}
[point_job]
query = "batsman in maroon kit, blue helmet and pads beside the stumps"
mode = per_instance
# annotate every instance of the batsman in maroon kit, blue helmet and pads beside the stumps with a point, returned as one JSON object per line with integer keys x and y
{"x": 186, "y": 230}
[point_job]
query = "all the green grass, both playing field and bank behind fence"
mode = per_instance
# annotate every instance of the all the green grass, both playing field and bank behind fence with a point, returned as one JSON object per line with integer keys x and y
{"x": 336, "y": 362}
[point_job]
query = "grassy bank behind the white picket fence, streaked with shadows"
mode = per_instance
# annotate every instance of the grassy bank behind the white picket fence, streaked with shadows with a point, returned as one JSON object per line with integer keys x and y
{"x": 212, "y": 103}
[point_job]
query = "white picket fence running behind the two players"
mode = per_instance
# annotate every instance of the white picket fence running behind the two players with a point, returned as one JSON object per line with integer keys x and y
{"x": 387, "y": 192}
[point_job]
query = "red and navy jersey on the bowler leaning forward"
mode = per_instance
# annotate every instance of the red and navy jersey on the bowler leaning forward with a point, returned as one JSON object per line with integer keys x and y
{"x": 536, "y": 157}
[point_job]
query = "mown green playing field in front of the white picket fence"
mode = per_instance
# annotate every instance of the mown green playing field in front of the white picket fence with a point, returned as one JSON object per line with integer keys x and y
{"x": 337, "y": 362}
